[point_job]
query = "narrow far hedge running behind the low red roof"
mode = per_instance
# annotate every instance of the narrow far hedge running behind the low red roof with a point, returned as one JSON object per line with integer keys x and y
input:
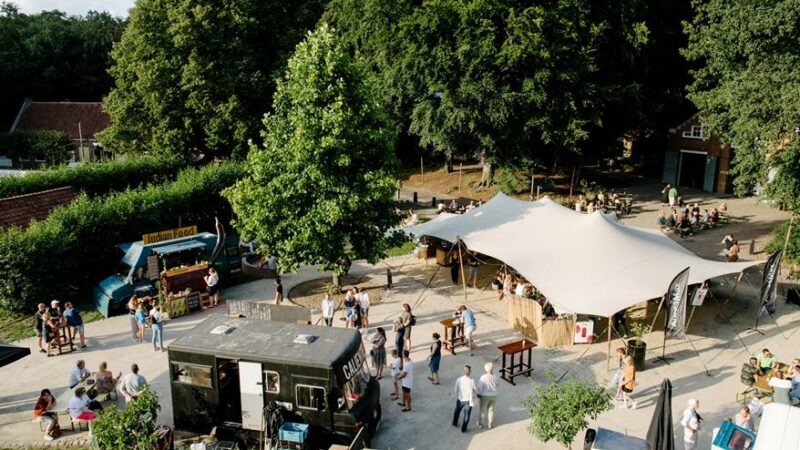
{"x": 96, "y": 178}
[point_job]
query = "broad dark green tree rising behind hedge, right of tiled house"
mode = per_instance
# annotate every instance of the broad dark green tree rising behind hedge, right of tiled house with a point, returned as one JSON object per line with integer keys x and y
{"x": 196, "y": 76}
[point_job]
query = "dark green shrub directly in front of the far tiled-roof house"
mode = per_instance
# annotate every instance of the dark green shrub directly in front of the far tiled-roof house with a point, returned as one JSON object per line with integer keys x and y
{"x": 50, "y": 146}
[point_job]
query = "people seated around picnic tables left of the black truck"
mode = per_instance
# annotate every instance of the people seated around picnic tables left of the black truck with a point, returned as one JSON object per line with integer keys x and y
{"x": 82, "y": 405}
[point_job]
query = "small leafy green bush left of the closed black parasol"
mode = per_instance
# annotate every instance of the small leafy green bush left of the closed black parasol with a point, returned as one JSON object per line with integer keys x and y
{"x": 559, "y": 411}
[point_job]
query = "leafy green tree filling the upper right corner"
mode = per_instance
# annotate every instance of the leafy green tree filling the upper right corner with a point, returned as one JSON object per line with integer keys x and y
{"x": 746, "y": 88}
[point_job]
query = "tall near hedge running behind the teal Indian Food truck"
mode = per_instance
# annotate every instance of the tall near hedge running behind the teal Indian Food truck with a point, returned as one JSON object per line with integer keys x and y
{"x": 67, "y": 254}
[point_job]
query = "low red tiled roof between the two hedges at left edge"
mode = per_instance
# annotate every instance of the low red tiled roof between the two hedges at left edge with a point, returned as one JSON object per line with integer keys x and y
{"x": 22, "y": 209}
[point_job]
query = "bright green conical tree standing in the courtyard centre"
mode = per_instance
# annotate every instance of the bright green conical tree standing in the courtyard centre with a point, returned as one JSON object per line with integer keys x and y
{"x": 322, "y": 186}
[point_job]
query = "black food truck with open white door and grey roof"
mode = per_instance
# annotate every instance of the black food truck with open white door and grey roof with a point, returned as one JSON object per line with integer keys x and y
{"x": 231, "y": 372}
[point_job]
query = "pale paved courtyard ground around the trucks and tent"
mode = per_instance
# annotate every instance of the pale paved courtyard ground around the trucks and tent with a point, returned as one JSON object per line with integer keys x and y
{"x": 706, "y": 364}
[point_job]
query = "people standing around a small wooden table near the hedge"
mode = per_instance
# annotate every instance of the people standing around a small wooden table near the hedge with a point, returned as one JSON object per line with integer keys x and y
{"x": 50, "y": 322}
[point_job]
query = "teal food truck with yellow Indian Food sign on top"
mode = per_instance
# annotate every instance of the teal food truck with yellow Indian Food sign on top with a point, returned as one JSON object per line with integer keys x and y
{"x": 177, "y": 264}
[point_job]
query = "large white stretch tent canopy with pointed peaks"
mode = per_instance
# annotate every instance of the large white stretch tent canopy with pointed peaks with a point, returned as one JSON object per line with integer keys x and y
{"x": 582, "y": 263}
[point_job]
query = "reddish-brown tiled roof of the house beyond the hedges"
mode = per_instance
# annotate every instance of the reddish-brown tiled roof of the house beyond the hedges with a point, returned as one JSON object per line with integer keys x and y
{"x": 64, "y": 116}
